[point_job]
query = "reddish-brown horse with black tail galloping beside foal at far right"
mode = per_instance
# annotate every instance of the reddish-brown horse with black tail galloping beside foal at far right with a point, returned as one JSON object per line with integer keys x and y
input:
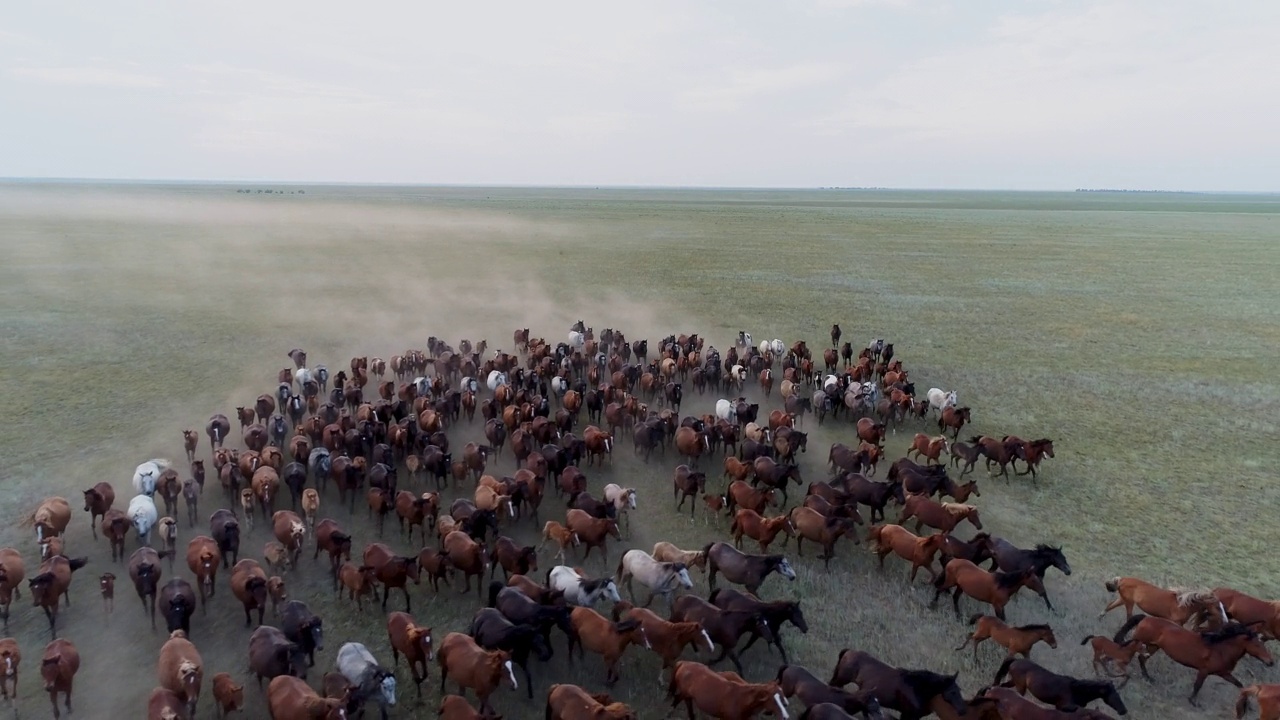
{"x": 1209, "y": 654}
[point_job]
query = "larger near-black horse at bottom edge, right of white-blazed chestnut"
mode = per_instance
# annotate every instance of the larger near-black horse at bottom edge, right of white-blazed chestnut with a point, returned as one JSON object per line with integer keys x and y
{"x": 911, "y": 692}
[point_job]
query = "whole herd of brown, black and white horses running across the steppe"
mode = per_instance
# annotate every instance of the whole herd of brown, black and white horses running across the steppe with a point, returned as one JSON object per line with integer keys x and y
{"x": 318, "y": 431}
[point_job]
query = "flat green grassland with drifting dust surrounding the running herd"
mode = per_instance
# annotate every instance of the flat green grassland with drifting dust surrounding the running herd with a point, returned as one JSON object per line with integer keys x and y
{"x": 1140, "y": 332}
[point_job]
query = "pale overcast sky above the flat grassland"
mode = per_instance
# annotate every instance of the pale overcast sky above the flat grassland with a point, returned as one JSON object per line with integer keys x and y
{"x": 920, "y": 94}
